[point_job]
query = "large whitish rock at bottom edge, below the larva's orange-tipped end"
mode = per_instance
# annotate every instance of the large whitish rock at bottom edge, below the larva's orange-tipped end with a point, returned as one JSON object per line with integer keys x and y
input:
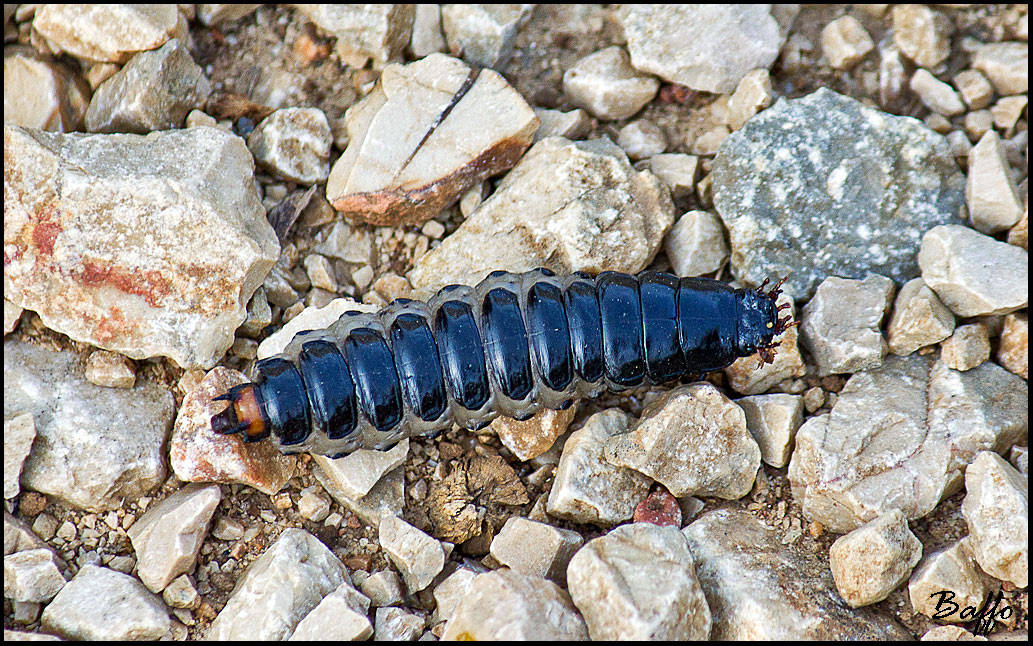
{"x": 279, "y": 590}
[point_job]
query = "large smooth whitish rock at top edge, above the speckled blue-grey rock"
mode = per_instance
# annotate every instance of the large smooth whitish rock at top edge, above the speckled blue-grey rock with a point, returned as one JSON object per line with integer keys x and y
{"x": 676, "y": 43}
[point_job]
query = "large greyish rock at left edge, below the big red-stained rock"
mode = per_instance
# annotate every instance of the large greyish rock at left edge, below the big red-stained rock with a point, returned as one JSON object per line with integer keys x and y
{"x": 96, "y": 447}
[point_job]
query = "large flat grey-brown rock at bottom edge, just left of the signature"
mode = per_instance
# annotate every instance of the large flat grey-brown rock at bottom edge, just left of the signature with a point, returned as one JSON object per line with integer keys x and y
{"x": 760, "y": 590}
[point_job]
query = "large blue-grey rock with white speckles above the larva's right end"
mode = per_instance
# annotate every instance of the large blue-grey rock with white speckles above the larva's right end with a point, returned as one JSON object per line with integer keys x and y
{"x": 824, "y": 187}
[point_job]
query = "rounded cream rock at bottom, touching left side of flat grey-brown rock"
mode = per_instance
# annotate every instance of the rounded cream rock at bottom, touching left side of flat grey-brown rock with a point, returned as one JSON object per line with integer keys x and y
{"x": 639, "y": 582}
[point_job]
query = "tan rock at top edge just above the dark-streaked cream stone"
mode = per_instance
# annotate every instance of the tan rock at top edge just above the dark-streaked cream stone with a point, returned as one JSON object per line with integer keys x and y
{"x": 379, "y": 33}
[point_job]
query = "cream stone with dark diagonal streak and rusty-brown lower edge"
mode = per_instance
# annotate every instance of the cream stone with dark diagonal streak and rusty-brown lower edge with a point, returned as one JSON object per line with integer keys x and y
{"x": 394, "y": 173}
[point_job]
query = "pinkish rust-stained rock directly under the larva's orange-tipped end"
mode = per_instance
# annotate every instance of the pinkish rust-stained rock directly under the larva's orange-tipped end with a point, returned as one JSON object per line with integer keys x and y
{"x": 200, "y": 455}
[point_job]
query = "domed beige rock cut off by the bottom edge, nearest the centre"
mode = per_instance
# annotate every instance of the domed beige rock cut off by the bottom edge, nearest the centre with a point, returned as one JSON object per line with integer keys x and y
{"x": 507, "y": 605}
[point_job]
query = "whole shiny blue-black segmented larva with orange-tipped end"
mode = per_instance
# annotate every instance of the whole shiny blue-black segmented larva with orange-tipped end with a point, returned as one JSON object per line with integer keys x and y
{"x": 511, "y": 346}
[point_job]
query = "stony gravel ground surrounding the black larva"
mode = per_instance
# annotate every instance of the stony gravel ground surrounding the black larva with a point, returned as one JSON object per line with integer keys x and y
{"x": 910, "y": 284}
